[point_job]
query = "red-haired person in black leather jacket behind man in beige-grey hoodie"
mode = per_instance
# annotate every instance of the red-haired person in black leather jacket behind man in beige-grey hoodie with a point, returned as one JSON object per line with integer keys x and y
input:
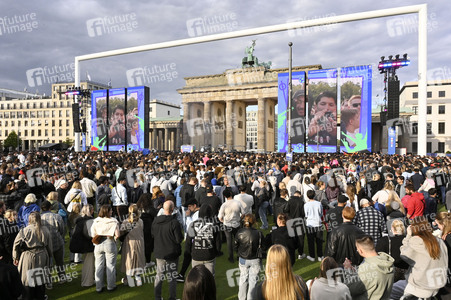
{"x": 341, "y": 243}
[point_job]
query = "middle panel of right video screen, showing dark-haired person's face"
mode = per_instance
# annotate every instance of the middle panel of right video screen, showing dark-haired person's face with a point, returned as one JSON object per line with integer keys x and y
{"x": 322, "y": 111}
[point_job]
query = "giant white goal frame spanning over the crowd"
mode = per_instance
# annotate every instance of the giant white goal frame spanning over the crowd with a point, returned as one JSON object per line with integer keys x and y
{"x": 422, "y": 50}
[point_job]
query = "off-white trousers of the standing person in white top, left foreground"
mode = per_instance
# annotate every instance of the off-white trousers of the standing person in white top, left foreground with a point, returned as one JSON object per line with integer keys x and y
{"x": 105, "y": 255}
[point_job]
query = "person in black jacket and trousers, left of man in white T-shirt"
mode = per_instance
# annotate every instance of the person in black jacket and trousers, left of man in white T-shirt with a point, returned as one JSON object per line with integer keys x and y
{"x": 295, "y": 210}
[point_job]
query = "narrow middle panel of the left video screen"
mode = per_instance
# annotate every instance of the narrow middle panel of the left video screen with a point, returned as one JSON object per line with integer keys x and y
{"x": 117, "y": 120}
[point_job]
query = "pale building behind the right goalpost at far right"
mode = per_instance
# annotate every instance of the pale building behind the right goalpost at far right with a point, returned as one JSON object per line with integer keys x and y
{"x": 438, "y": 107}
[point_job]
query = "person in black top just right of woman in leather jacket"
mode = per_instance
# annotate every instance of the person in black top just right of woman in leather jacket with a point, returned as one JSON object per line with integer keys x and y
{"x": 280, "y": 236}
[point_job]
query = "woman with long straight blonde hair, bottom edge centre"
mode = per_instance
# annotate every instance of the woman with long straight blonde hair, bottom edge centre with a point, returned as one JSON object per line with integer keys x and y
{"x": 281, "y": 282}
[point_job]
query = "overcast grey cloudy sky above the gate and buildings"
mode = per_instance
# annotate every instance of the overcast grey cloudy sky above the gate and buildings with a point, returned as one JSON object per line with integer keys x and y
{"x": 39, "y": 39}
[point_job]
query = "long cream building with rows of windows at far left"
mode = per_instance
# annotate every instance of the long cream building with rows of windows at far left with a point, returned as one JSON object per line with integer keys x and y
{"x": 39, "y": 120}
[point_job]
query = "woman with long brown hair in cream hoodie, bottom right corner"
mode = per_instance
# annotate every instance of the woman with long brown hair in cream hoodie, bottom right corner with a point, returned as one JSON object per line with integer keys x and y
{"x": 427, "y": 257}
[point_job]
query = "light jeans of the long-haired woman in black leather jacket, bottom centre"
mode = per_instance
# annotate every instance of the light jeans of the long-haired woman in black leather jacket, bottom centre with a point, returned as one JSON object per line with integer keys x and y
{"x": 249, "y": 269}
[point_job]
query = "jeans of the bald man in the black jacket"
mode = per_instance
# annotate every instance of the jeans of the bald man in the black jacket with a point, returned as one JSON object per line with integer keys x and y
{"x": 165, "y": 270}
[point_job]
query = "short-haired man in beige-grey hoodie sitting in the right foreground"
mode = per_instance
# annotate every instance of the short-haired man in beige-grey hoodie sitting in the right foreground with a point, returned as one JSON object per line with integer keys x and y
{"x": 374, "y": 280}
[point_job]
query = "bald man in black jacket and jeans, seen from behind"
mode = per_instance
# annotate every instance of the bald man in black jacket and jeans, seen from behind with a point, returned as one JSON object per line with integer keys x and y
{"x": 167, "y": 233}
